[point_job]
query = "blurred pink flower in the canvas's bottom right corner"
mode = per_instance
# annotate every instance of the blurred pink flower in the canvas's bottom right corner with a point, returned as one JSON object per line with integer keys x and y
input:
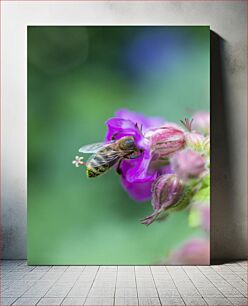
{"x": 193, "y": 252}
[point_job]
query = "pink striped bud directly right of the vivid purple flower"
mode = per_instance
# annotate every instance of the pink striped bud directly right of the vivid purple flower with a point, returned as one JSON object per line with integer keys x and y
{"x": 166, "y": 140}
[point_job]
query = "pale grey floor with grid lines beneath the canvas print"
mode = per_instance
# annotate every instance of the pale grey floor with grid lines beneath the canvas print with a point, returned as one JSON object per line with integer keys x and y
{"x": 123, "y": 285}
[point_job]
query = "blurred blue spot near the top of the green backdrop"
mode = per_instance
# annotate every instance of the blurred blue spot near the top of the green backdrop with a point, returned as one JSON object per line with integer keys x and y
{"x": 155, "y": 50}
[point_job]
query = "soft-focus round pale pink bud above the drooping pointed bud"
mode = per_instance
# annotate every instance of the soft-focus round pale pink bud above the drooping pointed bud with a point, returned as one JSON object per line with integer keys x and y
{"x": 188, "y": 164}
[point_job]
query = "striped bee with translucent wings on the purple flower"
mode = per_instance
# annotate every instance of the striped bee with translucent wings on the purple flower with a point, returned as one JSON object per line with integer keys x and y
{"x": 107, "y": 155}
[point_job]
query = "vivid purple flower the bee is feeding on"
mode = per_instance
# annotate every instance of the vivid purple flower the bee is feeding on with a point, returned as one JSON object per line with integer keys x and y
{"x": 136, "y": 177}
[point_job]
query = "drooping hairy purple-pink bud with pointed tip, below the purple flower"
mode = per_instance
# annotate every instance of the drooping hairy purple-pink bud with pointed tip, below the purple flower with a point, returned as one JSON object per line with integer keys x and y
{"x": 166, "y": 191}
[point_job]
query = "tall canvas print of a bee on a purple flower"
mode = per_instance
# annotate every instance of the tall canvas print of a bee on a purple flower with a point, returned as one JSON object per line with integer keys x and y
{"x": 119, "y": 145}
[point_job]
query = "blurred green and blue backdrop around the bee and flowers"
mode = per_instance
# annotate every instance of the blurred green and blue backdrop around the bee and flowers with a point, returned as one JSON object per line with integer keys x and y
{"x": 77, "y": 78}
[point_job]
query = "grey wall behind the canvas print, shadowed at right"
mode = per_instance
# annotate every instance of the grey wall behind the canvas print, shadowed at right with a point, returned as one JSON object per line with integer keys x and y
{"x": 228, "y": 104}
